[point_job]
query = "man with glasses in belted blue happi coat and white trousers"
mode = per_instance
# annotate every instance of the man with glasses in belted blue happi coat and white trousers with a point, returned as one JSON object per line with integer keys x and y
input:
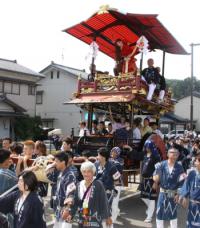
{"x": 170, "y": 175}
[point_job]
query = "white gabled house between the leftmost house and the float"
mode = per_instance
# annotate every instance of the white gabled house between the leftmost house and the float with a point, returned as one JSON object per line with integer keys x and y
{"x": 60, "y": 82}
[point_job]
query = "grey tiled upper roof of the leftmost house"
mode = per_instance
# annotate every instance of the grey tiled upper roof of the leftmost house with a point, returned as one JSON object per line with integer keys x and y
{"x": 13, "y": 66}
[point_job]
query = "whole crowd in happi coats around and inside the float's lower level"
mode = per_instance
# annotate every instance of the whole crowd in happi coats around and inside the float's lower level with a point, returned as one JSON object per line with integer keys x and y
{"x": 89, "y": 194}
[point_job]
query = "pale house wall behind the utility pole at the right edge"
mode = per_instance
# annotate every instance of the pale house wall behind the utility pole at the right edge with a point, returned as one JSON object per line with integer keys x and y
{"x": 182, "y": 108}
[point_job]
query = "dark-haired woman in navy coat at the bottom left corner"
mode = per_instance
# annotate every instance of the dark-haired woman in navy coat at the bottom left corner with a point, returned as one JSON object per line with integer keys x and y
{"x": 25, "y": 204}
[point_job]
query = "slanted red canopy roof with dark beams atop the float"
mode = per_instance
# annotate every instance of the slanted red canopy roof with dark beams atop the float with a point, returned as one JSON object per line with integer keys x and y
{"x": 110, "y": 25}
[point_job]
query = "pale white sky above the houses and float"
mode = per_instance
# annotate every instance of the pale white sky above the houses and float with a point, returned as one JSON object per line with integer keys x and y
{"x": 31, "y": 32}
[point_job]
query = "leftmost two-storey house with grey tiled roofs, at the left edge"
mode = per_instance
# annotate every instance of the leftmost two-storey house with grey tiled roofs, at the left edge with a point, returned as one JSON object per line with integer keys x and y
{"x": 17, "y": 94}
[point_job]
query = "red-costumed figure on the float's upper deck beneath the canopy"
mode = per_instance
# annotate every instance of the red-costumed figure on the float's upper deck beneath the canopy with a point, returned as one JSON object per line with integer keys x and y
{"x": 124, "y": 56}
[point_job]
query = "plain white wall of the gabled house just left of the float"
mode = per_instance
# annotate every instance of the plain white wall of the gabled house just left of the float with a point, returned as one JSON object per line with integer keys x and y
{"x": 56, "y": 92}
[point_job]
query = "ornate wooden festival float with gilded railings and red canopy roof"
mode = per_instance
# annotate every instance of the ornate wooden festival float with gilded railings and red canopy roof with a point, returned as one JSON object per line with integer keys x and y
{"x": 126, "y": 92}
